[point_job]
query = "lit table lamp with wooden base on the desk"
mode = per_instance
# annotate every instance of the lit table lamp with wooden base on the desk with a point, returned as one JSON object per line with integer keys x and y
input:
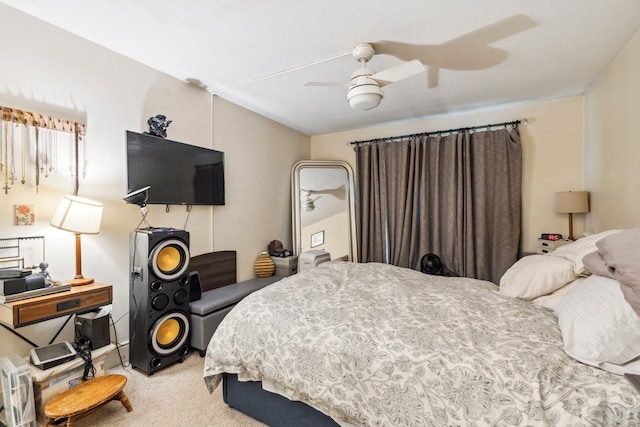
{"x": 79, "y": 216}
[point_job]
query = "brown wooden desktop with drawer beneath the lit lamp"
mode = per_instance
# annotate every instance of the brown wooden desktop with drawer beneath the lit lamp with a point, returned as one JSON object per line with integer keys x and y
{"x": 34, "y": 310}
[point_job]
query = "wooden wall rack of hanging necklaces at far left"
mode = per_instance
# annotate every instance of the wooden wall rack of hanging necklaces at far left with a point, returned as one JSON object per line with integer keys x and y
{"x": 29, "y": 142}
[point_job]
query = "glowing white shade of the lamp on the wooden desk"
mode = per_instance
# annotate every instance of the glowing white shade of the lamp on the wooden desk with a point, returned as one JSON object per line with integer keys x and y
{"x": 78, "y": 215}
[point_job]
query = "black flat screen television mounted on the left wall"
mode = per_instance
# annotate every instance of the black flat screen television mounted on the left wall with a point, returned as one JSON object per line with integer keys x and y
{"x": 178, "y": 173}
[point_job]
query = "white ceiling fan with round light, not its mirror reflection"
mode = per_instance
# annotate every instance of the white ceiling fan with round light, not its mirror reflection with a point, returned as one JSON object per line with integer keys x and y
{"x": 365, "y": 87}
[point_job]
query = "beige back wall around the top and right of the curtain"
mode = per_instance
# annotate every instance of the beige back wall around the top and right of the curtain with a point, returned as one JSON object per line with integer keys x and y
{"x": 552, "y": 142}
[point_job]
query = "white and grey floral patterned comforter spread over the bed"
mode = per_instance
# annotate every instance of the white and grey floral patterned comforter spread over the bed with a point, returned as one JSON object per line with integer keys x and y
{"x": 373, "y": 344}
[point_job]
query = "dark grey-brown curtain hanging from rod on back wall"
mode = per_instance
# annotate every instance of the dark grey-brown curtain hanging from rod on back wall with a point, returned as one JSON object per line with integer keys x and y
{"x": 458, "y": 196}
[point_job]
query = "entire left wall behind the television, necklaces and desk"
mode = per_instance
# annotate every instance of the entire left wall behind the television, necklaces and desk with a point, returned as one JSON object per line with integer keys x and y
{"x": 78, "y": 80}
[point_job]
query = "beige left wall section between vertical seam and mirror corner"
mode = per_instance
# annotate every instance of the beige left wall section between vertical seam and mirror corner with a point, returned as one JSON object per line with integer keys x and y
{"x": 259, "y": 155}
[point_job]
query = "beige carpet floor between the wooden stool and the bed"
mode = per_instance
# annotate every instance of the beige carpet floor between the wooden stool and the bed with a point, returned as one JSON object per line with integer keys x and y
{"x": 173, "y": 396}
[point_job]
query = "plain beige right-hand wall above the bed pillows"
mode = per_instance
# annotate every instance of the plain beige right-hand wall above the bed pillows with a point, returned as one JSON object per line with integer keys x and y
{"x": 612, "y": 143}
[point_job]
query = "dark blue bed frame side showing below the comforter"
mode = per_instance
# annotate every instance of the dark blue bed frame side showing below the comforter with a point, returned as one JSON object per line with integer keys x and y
{"x": 249, "y": 398}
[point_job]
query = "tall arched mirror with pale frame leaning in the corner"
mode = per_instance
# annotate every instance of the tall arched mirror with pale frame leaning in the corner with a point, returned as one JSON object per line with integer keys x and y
{"x": 323, "y": 209}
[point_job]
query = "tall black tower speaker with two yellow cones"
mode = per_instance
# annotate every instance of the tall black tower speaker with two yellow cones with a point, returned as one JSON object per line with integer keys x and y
{"x": 159, "y": 298}
